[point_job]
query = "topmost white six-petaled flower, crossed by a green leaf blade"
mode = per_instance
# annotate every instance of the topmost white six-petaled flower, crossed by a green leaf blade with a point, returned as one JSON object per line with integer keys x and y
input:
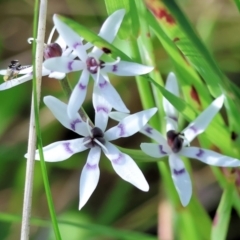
{"x": 91, "y": 65}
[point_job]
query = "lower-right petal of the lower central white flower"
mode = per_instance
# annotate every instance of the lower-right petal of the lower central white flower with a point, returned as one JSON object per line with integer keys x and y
{"x": 125, "y": 167}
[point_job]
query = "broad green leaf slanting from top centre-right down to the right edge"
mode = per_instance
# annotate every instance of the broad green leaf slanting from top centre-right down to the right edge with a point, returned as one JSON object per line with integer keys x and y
{"x": 195, "y": 51}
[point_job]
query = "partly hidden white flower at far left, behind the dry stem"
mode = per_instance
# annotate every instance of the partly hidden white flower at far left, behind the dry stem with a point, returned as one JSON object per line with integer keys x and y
{"x": 28, "y": 72}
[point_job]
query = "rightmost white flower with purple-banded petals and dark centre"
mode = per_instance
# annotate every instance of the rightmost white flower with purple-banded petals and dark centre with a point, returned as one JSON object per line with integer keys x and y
{"x": 176, "y": 144}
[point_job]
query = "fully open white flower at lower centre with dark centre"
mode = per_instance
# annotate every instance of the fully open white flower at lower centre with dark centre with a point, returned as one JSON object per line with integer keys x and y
{"x": 96, "y": 139}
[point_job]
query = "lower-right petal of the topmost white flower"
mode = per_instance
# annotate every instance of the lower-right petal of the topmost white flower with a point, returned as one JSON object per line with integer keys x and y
{"x": 111, "y": 95}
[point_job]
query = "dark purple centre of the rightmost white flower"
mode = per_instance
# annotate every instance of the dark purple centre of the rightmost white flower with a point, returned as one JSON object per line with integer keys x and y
{"x": 175, "y": 140}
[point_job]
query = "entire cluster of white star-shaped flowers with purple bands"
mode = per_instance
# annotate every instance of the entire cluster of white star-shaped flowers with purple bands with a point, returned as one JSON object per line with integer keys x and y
{"x": 68, "y": 54}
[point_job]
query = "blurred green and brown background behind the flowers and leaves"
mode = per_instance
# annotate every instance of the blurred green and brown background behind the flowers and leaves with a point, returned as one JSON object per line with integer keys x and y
{"x": 114, "y": 203}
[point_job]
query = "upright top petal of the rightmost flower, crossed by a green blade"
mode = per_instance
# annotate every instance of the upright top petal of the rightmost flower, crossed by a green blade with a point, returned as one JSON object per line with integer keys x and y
{"x": 171, "y": 112}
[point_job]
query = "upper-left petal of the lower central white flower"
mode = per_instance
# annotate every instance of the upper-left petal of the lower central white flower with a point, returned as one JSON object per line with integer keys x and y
{"x": 59, "y": 110}
